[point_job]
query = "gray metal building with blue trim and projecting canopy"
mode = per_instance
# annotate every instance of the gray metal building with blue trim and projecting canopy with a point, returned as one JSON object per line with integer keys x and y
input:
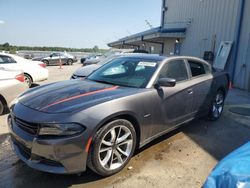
{"x": 202, "y": 28}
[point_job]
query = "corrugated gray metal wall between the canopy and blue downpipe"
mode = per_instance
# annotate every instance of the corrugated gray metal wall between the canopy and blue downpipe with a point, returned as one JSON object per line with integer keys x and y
{"x": 208, "y": 17}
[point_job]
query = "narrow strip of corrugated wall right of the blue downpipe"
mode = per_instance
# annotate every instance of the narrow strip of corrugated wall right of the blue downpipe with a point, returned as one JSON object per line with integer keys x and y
{"x": 242, "y": 72}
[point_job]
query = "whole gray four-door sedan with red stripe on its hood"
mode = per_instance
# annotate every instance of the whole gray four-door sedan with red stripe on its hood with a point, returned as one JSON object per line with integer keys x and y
{"x": 99, "y": 121}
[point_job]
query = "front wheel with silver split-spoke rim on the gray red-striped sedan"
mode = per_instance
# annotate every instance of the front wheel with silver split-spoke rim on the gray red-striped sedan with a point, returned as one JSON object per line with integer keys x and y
{"x": 112, "y": 147}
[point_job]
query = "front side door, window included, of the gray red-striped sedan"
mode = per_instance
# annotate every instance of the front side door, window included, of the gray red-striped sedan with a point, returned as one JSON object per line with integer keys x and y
{"x": 175, "y": 104}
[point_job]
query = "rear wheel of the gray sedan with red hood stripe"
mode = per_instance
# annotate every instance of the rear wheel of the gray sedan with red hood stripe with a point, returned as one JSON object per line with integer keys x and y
{"x": 217, "y": 106}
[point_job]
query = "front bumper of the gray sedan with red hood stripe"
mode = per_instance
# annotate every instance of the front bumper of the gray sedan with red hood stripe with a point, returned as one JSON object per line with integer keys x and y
{"x": 65, "y": 155}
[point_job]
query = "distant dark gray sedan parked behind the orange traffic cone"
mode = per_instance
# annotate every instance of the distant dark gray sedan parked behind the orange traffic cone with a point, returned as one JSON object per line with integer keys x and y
{"x": 54, "y": 59}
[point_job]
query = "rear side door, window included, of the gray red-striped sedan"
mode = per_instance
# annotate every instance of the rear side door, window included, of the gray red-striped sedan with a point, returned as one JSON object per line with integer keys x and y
{"x": 202, "y": 79}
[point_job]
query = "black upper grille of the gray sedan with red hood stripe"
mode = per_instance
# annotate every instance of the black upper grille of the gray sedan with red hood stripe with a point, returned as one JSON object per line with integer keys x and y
{"x": 31, "y": 128}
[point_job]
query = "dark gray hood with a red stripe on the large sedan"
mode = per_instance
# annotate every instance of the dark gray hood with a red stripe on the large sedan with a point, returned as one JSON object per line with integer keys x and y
{"x": 68, "y": 96}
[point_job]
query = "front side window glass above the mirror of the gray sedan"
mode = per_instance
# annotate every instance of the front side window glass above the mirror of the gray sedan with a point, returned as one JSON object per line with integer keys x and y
{"x": 175, "y": 69}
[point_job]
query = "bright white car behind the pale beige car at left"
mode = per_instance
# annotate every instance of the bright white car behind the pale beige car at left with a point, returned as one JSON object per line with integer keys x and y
{"x": 34, "y": 71}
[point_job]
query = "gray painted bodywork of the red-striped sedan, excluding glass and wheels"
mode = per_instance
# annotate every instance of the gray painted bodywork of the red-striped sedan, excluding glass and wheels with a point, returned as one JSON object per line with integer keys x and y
{"x": 70, "y": 153}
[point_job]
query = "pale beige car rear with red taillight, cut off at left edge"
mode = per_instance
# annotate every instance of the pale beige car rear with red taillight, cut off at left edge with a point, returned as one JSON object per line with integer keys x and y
{"x": 11, "y": 85}
